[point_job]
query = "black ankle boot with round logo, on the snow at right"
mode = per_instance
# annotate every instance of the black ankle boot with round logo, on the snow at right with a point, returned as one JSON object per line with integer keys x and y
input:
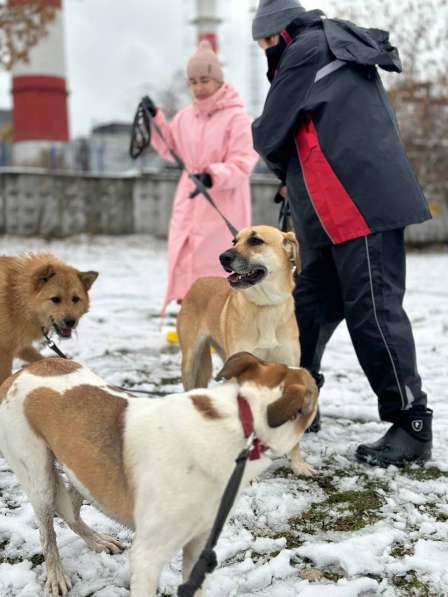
{"x": 408, "y": 440}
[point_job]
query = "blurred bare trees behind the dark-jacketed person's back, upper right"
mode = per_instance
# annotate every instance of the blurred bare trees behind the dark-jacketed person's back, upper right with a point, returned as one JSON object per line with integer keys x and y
{"x": 419, "y": 28}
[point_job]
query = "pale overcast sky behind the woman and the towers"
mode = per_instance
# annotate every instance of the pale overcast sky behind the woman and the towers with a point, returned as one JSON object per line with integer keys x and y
{"x": 117, "y": 51}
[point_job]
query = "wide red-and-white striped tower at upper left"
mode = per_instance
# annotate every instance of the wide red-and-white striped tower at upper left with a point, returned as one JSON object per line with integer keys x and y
{"x": 39, "y": 89}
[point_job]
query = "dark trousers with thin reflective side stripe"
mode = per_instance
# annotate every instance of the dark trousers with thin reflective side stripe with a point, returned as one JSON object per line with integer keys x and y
{"x": 363, "y": 282}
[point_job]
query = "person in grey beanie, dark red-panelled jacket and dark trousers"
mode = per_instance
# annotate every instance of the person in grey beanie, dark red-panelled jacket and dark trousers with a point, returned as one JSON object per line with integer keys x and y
{"x": 329, "y": 133}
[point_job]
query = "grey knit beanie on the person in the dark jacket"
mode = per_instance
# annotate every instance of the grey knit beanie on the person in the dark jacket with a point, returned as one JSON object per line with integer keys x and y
{"x": 273, "y": 16}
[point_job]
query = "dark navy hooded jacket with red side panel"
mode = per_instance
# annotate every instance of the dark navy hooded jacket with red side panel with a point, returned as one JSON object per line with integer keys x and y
{"x": 329, "y": 131}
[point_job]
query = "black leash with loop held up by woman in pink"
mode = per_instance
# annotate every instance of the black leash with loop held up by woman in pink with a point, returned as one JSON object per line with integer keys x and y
{"x": 140, "y": 140}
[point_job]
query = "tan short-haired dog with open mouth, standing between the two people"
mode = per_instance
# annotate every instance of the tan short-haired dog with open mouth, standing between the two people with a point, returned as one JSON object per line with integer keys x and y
{"x": 253, "y": 310}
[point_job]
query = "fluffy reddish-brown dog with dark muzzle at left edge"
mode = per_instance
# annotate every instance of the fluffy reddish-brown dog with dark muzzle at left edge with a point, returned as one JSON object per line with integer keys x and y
{"x": 38, "y": 292}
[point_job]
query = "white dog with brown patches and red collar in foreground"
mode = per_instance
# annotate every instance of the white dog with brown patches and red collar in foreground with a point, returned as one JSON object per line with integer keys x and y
{"x": 157, "y": 466}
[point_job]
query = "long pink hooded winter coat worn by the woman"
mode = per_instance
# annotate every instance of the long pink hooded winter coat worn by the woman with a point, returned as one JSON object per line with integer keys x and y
{"x": 212, "y": 136}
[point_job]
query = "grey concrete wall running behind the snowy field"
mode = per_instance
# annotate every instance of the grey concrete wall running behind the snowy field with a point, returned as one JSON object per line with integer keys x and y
{"x": 37, "y": 203}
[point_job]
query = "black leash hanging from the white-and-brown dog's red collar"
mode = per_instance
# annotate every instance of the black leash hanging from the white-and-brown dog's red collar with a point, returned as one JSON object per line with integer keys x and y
{"x": 207, "y": 561}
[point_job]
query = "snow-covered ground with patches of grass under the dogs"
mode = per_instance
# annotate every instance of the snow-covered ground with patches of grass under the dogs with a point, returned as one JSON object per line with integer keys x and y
{"x": 351, "y": 530}
